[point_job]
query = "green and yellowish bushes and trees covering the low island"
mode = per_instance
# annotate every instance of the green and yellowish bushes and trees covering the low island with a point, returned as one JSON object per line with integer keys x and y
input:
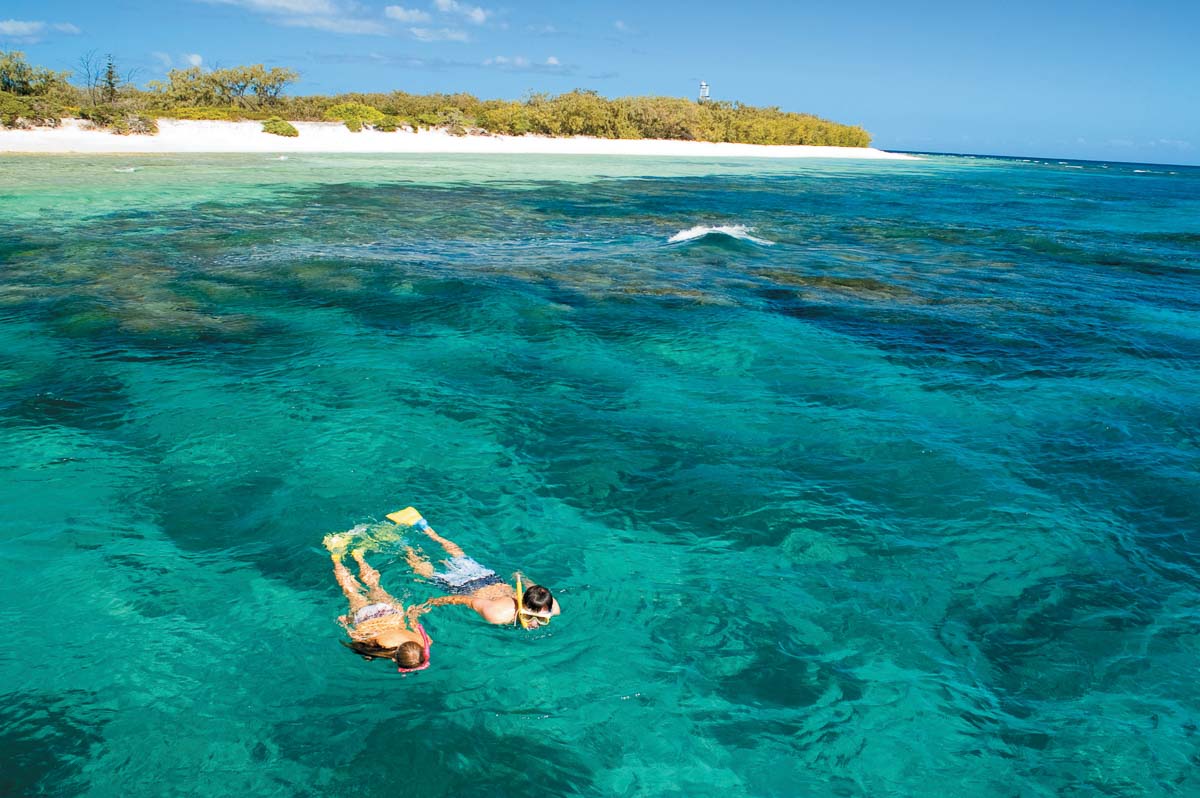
{"x": 99, "y": 94}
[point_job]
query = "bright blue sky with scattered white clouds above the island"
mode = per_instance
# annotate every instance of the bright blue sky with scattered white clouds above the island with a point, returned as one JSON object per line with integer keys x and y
{"x": 1117, "y": 81}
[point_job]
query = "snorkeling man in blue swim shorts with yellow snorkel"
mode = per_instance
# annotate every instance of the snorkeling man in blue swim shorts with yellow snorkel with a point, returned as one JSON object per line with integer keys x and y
{"x": 477, "y": 587}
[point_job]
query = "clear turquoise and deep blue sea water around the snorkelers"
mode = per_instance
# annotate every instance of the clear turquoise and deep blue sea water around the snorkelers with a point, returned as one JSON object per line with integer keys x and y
{"x": 904, "y": 503}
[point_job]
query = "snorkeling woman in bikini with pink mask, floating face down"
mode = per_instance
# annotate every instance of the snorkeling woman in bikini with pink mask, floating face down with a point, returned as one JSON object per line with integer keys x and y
{"x": 379, "y": 625}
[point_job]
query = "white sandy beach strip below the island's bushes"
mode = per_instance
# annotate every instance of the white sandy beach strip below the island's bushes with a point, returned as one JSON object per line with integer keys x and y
{"x": 179, "y": 136}
